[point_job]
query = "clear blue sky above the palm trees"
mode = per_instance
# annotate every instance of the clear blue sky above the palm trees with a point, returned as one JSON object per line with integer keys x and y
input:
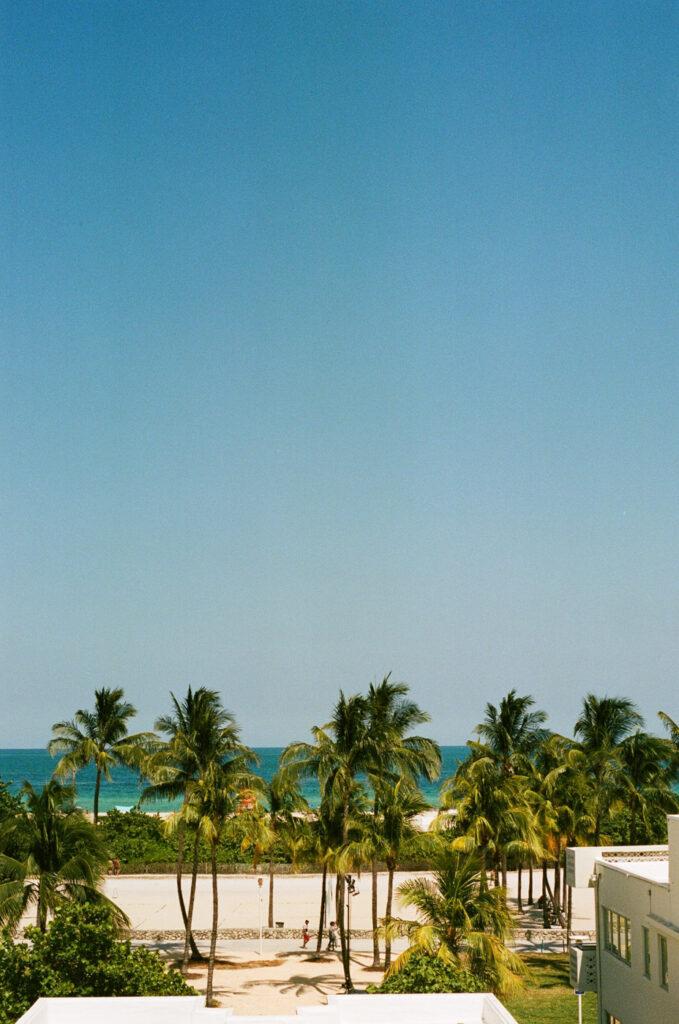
{"x": 338, "y": 338}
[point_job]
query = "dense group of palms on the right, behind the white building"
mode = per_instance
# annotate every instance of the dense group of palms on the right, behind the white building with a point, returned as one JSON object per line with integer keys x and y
{"x": 526, "y": 794}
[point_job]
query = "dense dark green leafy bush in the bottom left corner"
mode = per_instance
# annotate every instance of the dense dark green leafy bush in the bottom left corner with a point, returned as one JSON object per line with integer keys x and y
{"x": 79, "y": 956}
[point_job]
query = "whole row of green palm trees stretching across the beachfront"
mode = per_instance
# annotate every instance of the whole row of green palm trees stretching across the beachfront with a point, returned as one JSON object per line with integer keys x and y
{"x": 522, "y": 797}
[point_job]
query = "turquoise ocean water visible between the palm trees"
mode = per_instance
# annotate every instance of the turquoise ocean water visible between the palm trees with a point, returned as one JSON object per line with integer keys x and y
{"x": 36, "y": 767}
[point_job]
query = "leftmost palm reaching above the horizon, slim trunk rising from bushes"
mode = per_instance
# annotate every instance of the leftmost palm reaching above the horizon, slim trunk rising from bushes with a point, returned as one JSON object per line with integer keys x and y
{"x": 99, "y": 736}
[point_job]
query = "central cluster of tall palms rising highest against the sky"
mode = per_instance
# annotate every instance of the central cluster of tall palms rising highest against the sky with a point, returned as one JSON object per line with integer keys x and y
{"x": 368, "y": 748}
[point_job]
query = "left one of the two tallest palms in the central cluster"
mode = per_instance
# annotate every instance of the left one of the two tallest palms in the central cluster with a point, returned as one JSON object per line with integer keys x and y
{"x": 343, "y": 750}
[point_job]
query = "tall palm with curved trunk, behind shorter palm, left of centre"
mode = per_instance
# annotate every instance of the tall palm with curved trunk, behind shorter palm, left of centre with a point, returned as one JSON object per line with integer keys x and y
{"x": 194, "y": 729}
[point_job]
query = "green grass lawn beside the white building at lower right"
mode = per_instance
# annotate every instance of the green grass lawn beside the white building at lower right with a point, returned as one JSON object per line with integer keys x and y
{"x": 548, "y": 998}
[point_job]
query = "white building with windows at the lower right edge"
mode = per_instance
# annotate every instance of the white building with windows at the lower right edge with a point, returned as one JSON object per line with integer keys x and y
{"x": 636, "y": 959}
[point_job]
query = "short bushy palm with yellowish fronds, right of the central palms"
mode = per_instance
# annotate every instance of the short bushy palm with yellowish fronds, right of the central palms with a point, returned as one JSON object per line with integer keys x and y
{"x": 460, "y": 920}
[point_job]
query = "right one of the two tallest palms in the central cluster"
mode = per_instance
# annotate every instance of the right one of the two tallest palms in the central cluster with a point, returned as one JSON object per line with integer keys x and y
{"x": 392, "y": 717}
